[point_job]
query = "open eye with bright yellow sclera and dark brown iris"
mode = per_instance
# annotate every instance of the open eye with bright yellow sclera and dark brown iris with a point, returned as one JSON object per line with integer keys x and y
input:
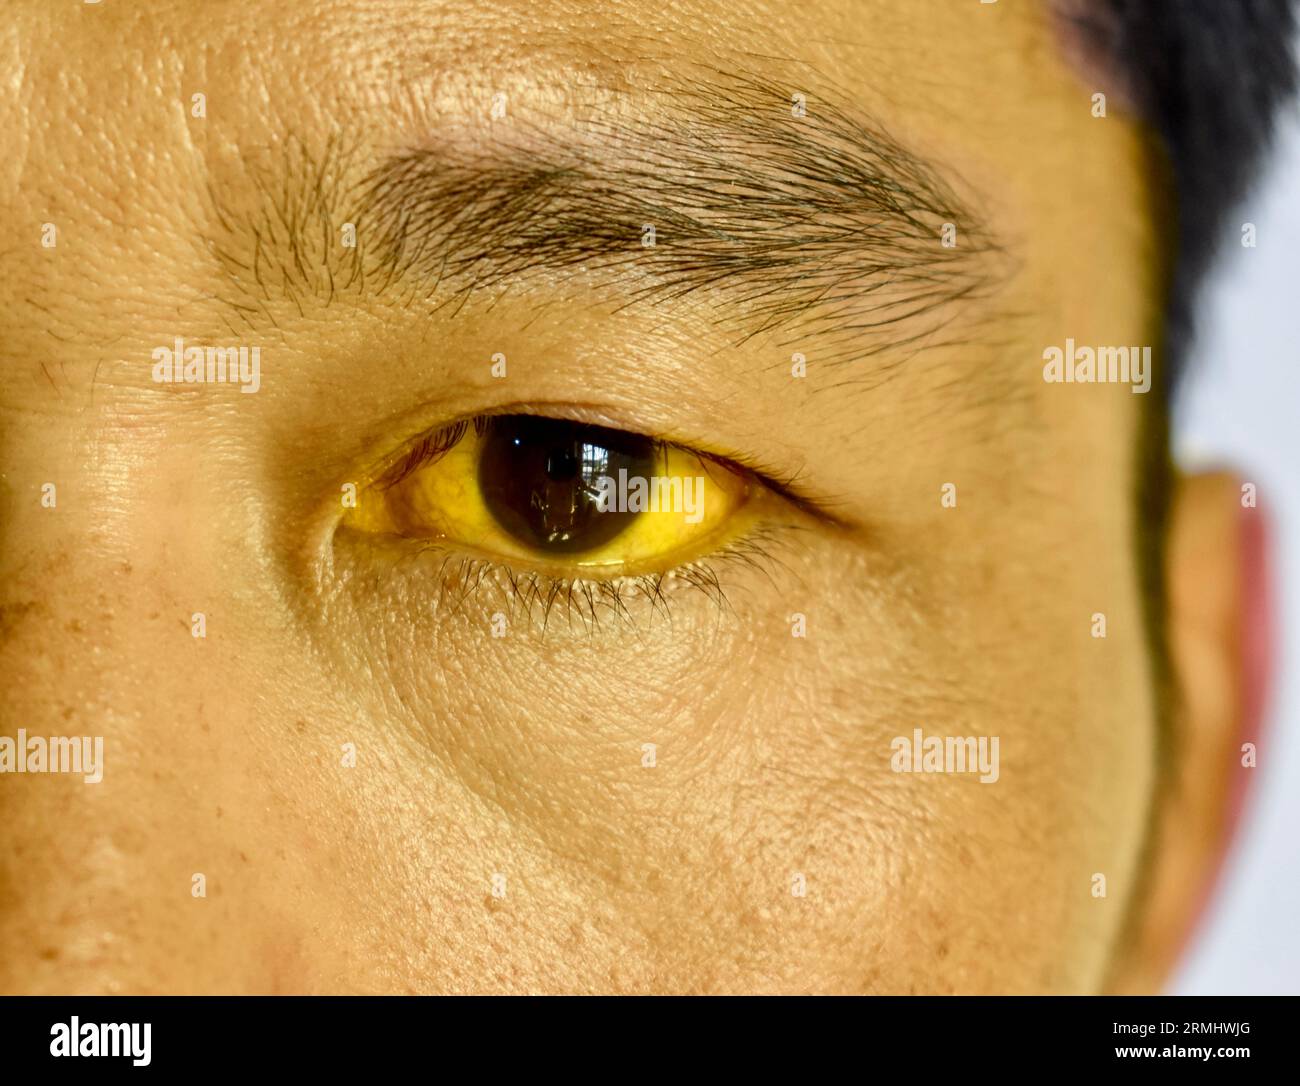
{"x": 560, "y": 495}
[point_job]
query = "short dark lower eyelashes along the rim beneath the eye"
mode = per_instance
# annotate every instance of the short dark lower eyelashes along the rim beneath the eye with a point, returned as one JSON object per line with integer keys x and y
{"x": 465, "y": 581}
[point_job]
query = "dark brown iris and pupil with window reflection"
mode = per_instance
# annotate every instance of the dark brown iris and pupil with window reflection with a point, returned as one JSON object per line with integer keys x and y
{"x": 539, "y": 479}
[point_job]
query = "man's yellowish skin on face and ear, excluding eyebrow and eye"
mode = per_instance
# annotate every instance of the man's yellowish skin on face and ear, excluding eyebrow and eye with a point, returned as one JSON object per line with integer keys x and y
{"x": 525, "y": 756}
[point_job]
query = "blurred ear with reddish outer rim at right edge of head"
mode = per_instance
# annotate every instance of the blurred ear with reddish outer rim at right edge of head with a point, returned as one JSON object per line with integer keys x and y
{"x": 1220, "y": 641}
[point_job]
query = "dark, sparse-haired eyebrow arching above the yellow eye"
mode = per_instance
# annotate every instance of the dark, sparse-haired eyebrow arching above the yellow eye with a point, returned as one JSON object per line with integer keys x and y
{"x": 820, "y": 224}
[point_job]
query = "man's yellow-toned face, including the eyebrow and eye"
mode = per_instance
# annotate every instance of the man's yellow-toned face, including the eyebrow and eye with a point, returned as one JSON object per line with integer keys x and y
{"x": 400, "y": 686}
